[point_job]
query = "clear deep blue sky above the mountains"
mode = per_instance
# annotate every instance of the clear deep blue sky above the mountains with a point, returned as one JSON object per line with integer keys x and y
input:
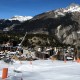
{"x": 9, "y": 8}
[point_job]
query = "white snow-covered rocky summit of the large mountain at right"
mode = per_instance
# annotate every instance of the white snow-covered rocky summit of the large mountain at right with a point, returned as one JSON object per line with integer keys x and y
{"x": 71, "y": 8}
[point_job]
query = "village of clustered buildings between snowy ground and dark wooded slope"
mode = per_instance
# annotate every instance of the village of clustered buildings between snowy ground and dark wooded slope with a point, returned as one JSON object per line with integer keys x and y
{"x": 9, "y": 53}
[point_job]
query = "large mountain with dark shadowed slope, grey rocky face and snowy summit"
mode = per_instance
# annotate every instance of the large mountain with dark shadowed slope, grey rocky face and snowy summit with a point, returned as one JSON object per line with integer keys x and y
{"x": 63, "y": 24}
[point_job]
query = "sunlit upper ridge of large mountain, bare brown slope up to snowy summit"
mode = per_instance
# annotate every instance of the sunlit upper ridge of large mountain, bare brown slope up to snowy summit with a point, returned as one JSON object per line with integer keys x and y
{"x": 58, "y": 12}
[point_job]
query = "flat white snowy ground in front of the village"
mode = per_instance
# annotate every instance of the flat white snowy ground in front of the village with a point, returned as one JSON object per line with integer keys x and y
{"x": 42, "y": 70}
